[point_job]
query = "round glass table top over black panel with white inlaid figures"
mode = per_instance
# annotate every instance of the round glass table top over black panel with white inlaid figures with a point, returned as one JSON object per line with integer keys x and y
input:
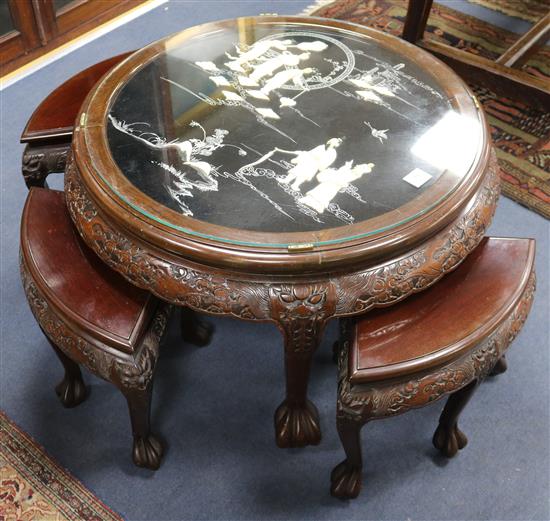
{"x": 271, "y": 127}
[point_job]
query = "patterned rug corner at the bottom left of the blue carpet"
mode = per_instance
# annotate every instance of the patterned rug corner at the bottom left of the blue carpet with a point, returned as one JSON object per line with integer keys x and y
{"x": 35, "y": 488}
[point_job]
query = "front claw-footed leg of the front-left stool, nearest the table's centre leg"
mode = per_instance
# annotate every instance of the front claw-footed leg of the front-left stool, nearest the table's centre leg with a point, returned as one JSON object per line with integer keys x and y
{"x": 147, "y": 450}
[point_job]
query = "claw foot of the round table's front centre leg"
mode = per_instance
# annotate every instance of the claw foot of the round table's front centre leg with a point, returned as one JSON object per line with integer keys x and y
{"x": 297, "y": 426}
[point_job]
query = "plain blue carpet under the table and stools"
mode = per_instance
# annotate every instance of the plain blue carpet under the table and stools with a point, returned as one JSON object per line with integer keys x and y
{"x": 214, "y": 406}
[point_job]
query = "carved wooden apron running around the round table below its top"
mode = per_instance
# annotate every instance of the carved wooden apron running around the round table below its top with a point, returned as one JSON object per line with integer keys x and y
{"x": 257, "y": 298}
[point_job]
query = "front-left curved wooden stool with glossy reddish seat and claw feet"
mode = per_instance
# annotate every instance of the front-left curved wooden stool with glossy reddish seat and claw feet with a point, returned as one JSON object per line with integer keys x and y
{"x": 91, "y": 315}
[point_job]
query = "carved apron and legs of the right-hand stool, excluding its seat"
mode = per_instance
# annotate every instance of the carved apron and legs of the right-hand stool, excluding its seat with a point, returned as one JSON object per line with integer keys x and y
{"x": 375, "y": 400}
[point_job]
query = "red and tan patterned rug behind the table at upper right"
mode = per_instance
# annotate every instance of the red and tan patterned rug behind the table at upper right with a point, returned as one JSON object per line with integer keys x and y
{"x": 520, "y": 132}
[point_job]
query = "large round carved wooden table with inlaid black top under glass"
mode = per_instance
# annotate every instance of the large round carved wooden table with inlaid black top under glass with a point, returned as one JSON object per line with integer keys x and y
{"x": 282, "y": 169}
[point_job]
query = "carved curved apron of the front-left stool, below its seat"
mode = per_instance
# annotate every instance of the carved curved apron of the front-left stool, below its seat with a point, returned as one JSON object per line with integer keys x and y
{"x": 124, "y": 371}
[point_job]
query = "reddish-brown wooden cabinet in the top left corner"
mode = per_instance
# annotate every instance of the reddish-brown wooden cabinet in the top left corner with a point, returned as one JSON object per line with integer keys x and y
{"x": 30, "y": 28}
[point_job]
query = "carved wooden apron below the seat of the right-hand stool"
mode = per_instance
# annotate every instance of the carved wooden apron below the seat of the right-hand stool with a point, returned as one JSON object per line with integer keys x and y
{"x": 364, "y": 402}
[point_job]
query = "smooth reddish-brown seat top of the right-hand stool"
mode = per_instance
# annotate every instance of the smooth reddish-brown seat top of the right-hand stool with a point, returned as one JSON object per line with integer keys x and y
{"x": 423, "y": 330}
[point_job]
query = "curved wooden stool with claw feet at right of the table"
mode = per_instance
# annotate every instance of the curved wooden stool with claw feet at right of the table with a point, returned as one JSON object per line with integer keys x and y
{"x": 442, "y": 341}
